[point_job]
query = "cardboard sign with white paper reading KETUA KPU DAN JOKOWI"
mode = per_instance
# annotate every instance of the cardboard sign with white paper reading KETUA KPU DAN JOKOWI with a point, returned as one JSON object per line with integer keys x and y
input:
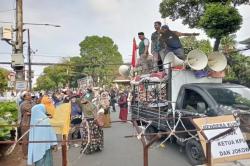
{"x": 227, "y": 148}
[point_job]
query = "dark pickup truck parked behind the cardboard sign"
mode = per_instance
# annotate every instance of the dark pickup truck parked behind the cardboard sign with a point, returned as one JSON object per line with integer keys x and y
{"x": 195, "y": 100}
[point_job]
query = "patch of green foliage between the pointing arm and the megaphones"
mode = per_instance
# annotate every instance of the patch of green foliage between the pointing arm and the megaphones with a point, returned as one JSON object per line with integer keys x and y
{"x": 192, "y": 43}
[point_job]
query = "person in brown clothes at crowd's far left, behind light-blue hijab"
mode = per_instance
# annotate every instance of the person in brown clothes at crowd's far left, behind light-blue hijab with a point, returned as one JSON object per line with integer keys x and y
{"x": 25, "y": 109}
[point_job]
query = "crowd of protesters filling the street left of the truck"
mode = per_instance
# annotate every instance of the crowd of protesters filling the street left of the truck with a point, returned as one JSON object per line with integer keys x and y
{"x": 82, "y": 114}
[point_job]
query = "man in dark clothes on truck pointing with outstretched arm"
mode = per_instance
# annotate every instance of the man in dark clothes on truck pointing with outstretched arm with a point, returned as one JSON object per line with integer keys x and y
{"x": 170, "y": 42}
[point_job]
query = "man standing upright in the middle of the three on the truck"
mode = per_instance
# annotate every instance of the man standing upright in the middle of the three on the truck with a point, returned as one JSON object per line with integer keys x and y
{"x": 155, "y": 45}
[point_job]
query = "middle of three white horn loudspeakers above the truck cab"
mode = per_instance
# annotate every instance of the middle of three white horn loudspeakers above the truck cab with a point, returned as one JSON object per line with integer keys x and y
{"x": 196, "y": 60}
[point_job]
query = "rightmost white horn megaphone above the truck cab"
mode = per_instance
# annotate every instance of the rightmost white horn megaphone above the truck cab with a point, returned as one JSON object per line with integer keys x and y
{"x": 217, "y": 61}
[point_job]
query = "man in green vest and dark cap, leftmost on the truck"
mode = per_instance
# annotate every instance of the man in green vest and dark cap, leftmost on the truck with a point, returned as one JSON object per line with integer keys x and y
{"x": 143, "y": 52}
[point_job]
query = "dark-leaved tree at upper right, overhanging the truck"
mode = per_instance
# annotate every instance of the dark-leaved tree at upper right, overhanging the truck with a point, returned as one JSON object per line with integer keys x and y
{"x": 192, "y": 11}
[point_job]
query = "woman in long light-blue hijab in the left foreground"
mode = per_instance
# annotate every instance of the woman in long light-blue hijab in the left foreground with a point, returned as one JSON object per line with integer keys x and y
{"x": 40, "y": 153}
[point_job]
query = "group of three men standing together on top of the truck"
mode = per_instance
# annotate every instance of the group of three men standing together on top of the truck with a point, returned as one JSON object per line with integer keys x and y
{"x": 163, "y": 41}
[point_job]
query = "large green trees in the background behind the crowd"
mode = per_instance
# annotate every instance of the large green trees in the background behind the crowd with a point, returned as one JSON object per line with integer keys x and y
{"x": 99, "y": 58}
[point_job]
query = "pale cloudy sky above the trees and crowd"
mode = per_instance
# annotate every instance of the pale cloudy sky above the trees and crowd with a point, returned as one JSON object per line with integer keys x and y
{"x": 121, "y": 20}
